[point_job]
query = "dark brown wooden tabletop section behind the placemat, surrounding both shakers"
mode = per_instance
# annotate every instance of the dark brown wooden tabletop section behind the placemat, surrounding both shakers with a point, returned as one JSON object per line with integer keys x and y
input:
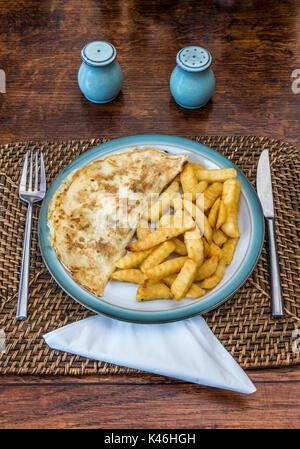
{"x": 254, "y": 44}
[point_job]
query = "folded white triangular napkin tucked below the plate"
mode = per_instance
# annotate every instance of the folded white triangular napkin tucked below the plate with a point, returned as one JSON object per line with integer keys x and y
{"x": 186, "y": 350}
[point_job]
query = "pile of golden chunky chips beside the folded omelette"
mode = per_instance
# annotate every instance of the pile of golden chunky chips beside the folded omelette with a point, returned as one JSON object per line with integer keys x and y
{"x": 202, "y": 231}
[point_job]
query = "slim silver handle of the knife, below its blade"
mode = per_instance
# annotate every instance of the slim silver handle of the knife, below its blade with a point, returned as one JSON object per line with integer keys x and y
{"x": 276, "y": 294}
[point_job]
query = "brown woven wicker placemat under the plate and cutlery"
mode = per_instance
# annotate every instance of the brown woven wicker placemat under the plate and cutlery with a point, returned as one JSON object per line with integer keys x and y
{"x": 243, "y": 324}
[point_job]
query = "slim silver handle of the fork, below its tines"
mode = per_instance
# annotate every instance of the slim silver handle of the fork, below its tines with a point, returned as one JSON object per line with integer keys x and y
{"x": 24, "y": 275}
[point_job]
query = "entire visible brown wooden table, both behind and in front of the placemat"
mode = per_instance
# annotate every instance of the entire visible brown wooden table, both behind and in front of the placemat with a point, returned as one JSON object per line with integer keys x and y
{"x": 255, "y": 48}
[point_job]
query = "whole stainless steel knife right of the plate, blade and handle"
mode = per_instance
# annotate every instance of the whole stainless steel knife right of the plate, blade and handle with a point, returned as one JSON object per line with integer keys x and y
{"x": 264, "y": 190}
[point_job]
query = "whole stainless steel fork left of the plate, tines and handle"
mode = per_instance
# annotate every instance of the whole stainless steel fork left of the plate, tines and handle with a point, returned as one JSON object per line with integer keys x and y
{"x": 29, "y": 195}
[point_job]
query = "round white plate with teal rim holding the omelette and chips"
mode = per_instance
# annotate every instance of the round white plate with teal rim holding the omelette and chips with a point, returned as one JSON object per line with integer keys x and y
{"x": 118, "y": 300}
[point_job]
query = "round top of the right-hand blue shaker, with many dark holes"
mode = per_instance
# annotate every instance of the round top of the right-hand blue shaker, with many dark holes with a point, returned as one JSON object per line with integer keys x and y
{"x": 193, "y": 58}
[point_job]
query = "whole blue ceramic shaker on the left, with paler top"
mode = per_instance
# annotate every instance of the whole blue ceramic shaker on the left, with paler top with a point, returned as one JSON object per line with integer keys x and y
{"x": 100, "y": 75}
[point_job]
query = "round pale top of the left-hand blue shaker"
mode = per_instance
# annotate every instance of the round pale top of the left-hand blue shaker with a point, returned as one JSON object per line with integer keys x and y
{"x": 98, "y": 53}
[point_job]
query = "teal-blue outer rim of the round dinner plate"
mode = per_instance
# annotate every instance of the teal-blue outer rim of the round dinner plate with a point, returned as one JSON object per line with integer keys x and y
{"x": 94, "y": 303}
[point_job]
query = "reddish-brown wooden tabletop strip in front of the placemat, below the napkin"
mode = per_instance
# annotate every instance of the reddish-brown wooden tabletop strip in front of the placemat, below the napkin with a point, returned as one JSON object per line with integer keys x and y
{"x": 143, "y": 402}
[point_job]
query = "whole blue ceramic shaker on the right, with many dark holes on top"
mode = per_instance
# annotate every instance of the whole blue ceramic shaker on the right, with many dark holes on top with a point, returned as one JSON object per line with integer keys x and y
{"x": 192, "y": 81}
